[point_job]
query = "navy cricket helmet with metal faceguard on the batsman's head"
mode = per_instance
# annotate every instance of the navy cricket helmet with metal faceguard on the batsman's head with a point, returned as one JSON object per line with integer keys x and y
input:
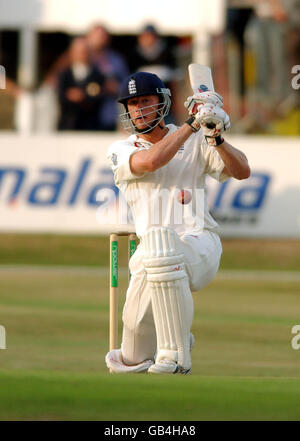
{"x": 141, "y": 84}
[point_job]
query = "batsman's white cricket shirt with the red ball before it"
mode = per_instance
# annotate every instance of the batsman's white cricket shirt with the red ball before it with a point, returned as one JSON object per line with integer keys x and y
{"x": 155, "y": 197}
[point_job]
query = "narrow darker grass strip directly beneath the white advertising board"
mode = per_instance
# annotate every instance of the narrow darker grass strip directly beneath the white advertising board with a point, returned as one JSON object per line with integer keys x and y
{"x": 94, "y": 251}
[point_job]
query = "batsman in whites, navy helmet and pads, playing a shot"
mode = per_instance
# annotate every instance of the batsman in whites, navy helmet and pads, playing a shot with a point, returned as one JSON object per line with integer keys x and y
{"x": 173, "y": 258}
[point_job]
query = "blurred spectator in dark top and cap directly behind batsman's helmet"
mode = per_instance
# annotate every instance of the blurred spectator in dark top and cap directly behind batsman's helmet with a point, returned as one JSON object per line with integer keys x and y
{"x": 152, "y": 54}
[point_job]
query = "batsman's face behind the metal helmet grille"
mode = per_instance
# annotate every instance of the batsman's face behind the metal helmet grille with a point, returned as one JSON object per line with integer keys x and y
{"x": 143, "y": 110}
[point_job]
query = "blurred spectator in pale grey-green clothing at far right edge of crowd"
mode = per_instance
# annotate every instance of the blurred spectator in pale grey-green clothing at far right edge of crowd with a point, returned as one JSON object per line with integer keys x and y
{"x": 266, "y": 36}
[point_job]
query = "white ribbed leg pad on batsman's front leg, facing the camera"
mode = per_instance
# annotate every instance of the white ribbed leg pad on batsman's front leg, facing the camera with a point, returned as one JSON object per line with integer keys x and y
{"x": 172, "y": 301}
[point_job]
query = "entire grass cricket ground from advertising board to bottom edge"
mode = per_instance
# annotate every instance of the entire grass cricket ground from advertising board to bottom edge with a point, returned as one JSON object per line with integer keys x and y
{"x": 56, "y": 319}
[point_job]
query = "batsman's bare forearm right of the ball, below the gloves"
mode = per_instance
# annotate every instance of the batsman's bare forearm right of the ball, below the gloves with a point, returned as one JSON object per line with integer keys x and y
{"x": 236, "y": 163}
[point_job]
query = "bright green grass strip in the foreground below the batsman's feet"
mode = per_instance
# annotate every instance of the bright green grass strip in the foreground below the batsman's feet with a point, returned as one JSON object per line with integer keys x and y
{"x": 89, "y": 396}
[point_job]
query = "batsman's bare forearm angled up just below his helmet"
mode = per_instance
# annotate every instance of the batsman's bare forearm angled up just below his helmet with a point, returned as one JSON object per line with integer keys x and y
{"x": 165, "y": 149}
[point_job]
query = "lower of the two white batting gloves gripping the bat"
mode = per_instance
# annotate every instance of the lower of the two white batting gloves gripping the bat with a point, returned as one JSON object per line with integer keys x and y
{"x": 212, "y": 120}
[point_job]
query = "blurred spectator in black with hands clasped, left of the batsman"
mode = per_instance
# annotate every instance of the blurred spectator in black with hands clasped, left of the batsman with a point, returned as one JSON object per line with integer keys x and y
{"x": 80, "y": 90}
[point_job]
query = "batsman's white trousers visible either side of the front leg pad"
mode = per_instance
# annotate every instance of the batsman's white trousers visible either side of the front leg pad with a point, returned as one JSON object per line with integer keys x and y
{"x": 202, "y": 255}
